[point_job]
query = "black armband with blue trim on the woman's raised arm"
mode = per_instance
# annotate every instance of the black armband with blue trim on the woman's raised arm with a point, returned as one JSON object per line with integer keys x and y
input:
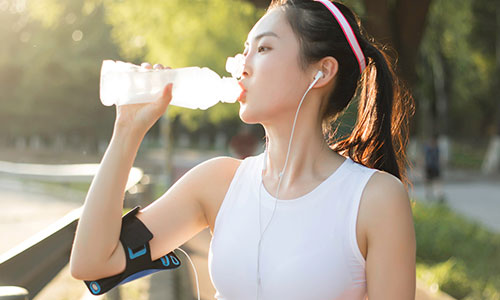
{"x": 135, "y": 238}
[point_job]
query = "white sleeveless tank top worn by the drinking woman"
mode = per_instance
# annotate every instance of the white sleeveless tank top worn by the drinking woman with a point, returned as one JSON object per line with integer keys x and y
{"x": 309, "y": 251}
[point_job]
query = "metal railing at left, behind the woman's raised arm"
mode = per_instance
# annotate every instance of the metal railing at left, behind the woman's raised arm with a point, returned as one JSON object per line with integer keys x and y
{"x": 27, "y": 268}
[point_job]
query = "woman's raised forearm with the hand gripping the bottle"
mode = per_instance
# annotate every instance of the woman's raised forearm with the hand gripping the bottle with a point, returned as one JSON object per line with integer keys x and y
{"x": 95, "y": 248}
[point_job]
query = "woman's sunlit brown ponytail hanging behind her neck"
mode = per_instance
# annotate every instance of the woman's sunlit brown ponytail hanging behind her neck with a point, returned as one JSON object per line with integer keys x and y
{"x": 380, "y": 135}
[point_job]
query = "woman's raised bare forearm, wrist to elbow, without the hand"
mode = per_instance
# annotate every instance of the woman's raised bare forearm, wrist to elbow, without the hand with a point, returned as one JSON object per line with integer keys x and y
{"x": 98, "y": 230}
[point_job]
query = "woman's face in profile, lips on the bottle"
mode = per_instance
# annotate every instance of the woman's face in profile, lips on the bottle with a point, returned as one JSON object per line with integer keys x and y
{"x": 272, "y": 78}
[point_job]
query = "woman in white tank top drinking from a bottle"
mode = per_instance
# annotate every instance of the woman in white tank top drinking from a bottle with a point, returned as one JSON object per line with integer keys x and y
{"x": 341, "y": 217}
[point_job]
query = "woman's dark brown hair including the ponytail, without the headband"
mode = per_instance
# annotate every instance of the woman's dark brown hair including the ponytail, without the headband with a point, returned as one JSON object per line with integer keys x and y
{"x": 380, "y": 135}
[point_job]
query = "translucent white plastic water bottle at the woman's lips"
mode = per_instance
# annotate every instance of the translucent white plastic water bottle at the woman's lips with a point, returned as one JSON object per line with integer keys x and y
{"x": 194, "y": 87}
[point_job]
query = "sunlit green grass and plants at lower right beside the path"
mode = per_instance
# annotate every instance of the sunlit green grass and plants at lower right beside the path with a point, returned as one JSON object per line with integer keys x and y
{"x": 461, "y": 256}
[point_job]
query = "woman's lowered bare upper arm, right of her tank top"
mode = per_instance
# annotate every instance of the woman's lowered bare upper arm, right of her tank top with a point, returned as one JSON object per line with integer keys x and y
{"x": 391, "y": 255}
